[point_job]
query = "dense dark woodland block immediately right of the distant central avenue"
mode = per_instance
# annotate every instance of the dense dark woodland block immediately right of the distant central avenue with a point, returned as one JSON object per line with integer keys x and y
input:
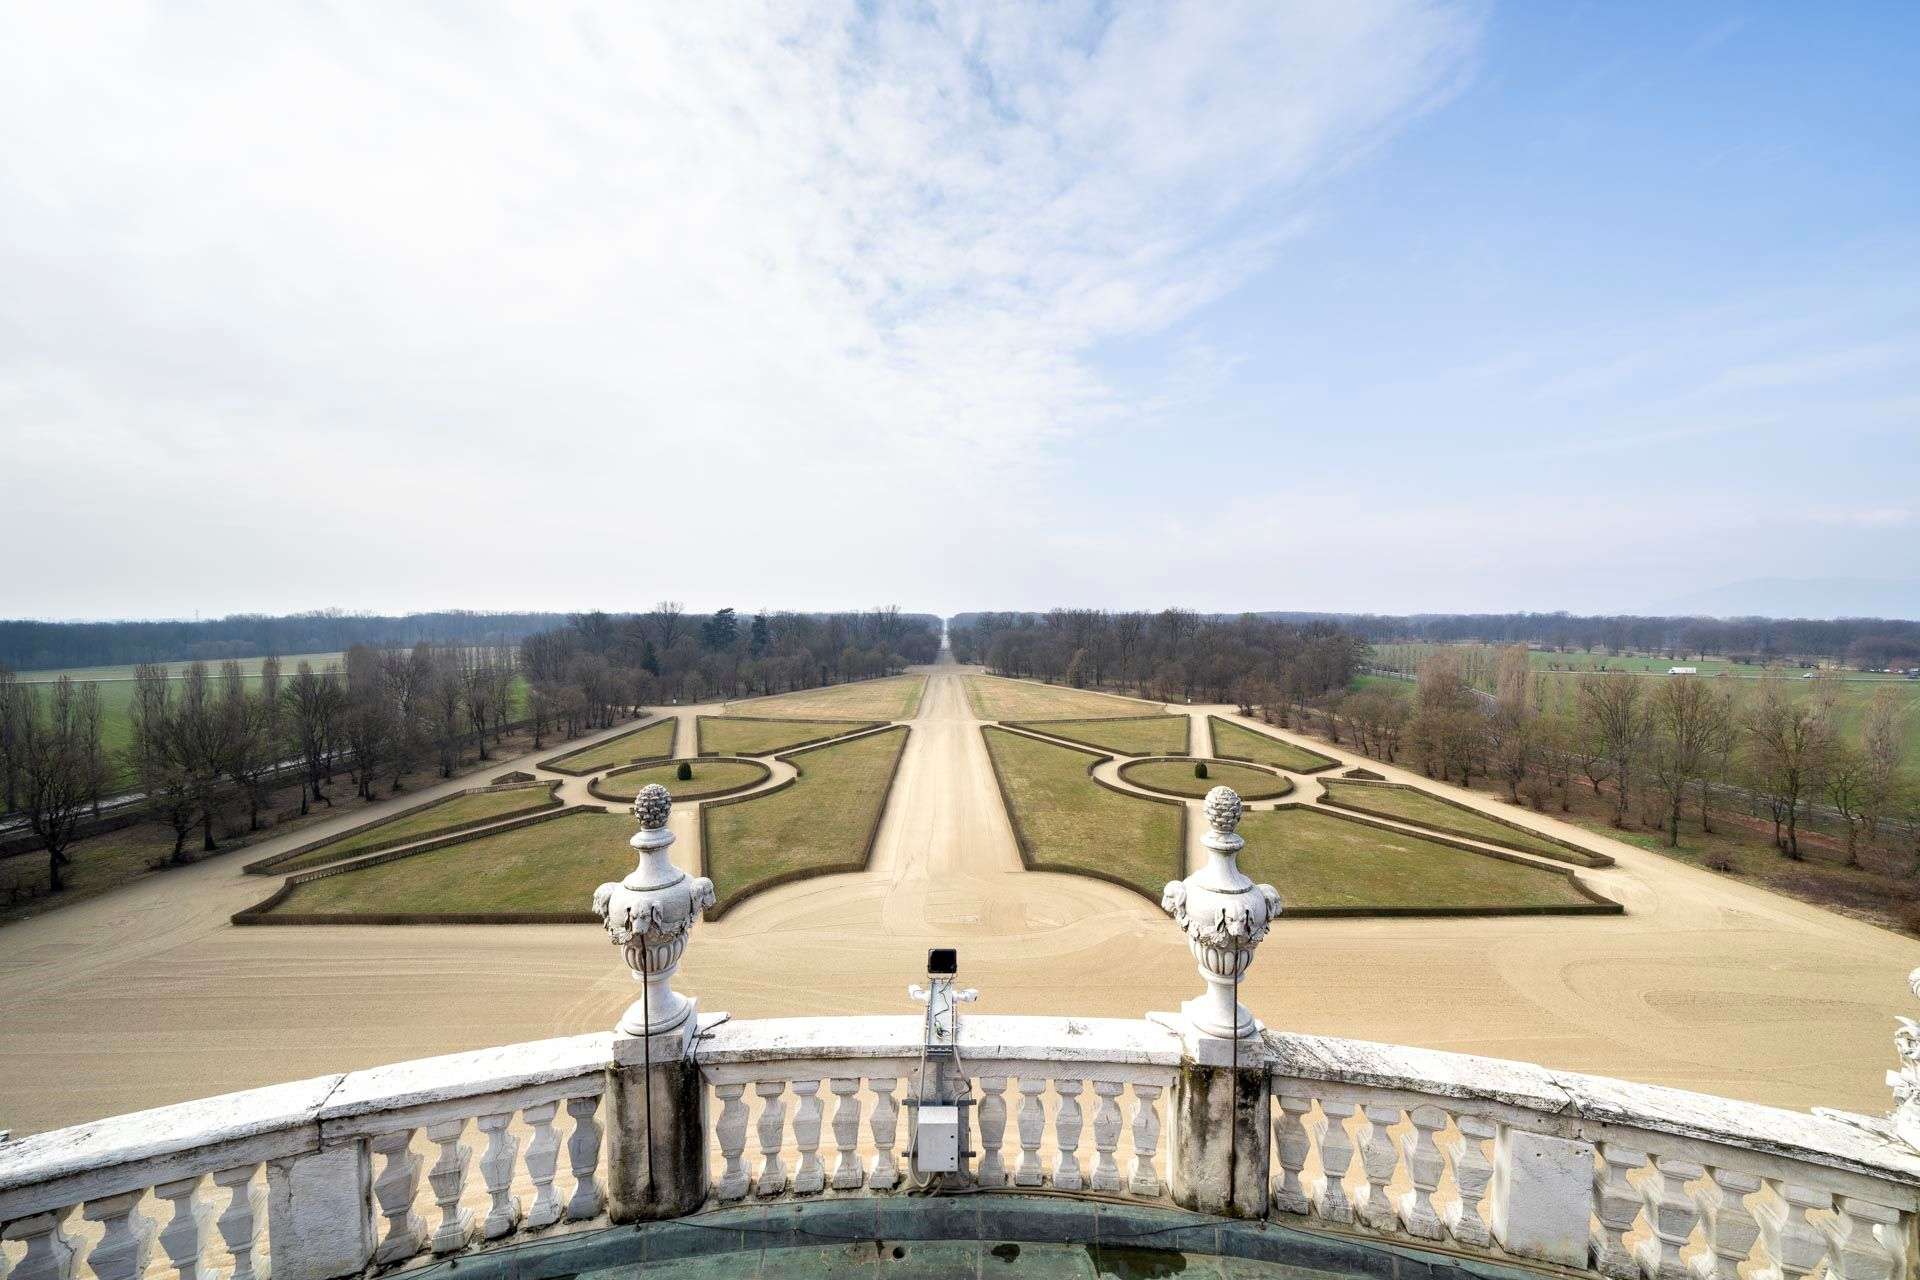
{"x": 1174, "y": 655}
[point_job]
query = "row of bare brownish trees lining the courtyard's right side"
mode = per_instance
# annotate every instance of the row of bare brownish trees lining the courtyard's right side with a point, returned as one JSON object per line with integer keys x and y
{"x": 1662, "y": 749}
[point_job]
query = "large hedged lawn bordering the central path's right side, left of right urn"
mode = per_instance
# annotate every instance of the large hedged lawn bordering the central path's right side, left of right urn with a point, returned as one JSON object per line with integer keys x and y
{"x": 1067, "y": 822}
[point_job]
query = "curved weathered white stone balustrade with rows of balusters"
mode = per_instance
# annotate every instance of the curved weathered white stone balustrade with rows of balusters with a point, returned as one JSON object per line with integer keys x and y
{"x": 458, "y": 1154}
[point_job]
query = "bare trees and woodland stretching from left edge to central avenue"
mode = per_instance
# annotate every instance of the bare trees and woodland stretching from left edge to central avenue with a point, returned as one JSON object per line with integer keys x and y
{"x": 208, "y": 740}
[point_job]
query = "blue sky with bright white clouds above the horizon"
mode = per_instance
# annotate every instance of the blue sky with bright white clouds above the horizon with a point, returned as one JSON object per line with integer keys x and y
{"x": 1347, "y": 306}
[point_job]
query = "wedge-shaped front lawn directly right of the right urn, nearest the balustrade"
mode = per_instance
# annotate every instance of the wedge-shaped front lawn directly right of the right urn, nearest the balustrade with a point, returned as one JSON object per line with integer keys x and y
{"x": 1324, "y": 861}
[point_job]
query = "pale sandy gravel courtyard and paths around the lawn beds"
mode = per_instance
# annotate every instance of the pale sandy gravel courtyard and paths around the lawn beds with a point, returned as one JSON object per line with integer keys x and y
{"x": 149, "y": 995}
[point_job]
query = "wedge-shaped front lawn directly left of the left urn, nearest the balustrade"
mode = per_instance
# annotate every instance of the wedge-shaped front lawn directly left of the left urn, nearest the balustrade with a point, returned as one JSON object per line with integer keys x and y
{"x": 548, "y": 866}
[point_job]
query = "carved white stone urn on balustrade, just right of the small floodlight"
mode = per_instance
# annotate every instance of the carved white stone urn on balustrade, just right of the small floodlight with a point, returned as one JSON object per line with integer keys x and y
{"x": 1224, "y": 916}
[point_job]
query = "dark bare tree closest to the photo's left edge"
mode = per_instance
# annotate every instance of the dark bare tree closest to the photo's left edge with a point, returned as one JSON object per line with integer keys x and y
{"x": 60, "y": 765}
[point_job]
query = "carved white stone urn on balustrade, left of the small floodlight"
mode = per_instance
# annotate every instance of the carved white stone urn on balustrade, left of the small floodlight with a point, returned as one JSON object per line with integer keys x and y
{"x": 650, "y": 916}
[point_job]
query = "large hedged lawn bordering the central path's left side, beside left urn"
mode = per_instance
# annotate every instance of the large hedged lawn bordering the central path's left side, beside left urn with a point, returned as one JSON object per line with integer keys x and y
{"x": 825, "y": 822}
